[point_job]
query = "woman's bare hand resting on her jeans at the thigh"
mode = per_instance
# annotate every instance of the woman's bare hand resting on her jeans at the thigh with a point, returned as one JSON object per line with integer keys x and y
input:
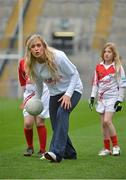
{"x": 65, "y": 102}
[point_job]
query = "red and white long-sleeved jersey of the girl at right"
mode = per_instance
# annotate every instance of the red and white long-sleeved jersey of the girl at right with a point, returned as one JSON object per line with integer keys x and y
{"x": 107, "y": 83}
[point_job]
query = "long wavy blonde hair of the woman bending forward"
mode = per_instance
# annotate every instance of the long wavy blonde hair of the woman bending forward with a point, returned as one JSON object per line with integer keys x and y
{"x": 47, "y": 58}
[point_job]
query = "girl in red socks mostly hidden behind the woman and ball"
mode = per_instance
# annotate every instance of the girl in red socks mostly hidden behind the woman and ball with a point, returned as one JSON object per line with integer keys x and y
{"x": 29, "y": 91}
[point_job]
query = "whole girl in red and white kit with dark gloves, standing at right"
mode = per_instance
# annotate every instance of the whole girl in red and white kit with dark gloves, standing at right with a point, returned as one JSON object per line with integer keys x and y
{"x": 108, "y": 84}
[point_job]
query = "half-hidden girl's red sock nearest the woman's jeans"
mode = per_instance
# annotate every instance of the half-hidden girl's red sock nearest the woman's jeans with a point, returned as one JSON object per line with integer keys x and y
{"x": 42, "y": 134}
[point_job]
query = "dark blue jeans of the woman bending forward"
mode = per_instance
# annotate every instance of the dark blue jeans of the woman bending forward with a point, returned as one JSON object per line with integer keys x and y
{"x": 61, "y": 144}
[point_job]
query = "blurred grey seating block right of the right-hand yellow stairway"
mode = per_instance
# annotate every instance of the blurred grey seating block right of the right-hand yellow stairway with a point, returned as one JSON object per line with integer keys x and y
{"x": 118, "y": 27}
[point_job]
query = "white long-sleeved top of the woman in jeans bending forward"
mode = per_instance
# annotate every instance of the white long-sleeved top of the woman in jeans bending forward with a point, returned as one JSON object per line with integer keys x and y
{"x": 69, "y": 77}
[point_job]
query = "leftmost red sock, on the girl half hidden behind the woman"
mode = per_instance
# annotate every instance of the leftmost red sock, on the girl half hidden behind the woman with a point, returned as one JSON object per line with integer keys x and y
{"x": 29, "y": 137}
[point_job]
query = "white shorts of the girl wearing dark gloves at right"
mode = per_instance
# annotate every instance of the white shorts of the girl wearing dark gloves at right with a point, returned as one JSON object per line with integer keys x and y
{"x": 106, "y": 105}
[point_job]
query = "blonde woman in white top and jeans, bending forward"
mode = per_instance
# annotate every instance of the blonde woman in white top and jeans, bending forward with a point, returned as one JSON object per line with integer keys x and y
{"x": 45, "y": 64}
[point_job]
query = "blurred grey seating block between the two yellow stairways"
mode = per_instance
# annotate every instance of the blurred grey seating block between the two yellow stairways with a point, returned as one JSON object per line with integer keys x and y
{"x": 81, "y": 15}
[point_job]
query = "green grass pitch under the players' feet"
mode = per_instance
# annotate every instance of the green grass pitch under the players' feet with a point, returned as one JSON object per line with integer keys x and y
{"x": 86, "y": 136}
